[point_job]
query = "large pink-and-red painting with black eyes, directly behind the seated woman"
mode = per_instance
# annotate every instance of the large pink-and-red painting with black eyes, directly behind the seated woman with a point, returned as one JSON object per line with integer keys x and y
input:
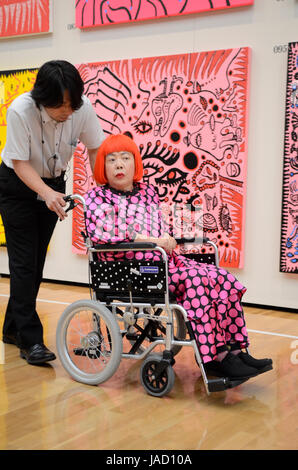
{"x": 188, "y": 114}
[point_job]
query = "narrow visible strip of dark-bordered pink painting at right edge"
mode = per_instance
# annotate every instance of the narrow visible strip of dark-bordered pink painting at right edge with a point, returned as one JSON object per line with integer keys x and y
{"x": 289, "y": 225}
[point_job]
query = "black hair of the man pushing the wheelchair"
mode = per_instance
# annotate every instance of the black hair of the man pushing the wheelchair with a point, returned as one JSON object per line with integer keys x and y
{"x": 53, "y": 78}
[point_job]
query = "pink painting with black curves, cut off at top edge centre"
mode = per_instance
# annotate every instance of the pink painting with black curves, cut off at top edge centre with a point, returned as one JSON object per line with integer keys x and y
{"x": 103, "y": 12}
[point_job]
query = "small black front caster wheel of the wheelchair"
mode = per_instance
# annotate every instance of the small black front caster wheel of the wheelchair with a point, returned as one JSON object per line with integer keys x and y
{"x": 153, "y": 386}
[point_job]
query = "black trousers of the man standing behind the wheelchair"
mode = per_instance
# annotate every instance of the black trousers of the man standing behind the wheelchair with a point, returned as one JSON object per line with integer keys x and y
{"x": 28, "y": 225}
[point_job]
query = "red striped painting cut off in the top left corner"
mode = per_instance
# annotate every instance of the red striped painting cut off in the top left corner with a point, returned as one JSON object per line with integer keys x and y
{"x": 22, "y": 17}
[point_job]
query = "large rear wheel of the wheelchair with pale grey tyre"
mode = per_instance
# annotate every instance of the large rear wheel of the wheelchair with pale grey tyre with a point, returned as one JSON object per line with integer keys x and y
{"x": 89, "y": 343}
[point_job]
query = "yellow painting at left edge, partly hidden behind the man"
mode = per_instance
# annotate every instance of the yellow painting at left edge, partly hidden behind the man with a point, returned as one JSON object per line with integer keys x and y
{"x": 12, "y": 84}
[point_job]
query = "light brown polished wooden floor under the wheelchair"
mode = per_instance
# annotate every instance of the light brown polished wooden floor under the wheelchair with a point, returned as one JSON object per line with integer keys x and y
{"x": 43, "y": 408}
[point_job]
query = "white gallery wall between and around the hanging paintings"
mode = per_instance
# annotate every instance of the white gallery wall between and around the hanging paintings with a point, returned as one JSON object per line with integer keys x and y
{"x": 266, "y": 28}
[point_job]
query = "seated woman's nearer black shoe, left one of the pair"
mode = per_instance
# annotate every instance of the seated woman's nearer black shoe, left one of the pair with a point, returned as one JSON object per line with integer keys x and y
{"x": 232, "y": 367}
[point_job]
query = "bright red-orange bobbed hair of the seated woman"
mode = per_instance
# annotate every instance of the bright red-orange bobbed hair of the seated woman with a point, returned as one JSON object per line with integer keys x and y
{"x": 117, "y": 143}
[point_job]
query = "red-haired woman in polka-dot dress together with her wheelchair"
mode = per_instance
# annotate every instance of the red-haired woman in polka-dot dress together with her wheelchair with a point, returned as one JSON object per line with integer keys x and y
{"x": 136, "y": 273}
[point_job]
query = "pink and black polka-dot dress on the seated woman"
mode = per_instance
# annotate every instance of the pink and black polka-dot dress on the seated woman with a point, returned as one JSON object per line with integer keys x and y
{"x": 211, "y": 296}
